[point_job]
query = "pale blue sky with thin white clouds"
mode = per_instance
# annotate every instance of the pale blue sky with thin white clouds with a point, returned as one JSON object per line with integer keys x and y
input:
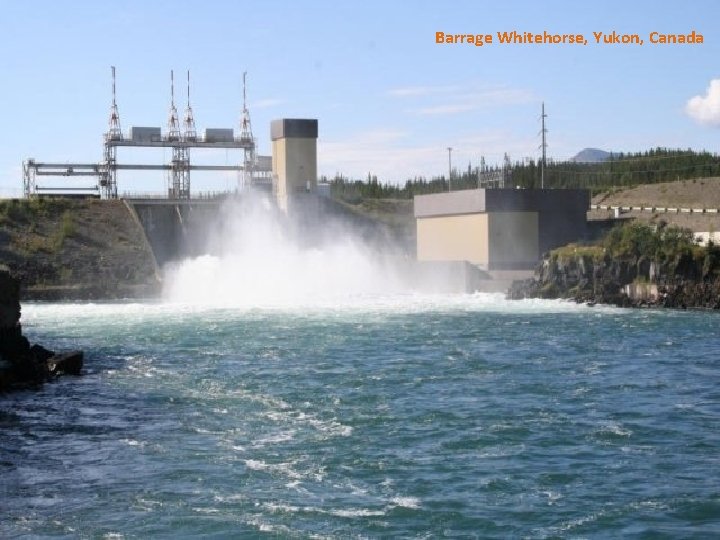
{"x": 388, "y": 97}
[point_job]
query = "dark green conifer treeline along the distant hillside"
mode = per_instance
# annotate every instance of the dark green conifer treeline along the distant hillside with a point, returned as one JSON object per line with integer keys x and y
{"x": 620, "y": 170}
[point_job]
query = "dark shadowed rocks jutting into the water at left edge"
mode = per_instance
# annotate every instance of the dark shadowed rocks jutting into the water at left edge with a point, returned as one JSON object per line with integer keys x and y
{"x": 21, "y": 364}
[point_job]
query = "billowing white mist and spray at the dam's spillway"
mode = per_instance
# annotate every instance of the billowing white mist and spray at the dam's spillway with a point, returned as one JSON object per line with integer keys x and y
{"x": 256, "y": 256}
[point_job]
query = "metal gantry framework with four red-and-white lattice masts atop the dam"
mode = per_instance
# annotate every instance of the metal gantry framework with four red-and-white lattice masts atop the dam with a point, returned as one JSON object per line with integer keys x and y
{"x": 255, "y": 169}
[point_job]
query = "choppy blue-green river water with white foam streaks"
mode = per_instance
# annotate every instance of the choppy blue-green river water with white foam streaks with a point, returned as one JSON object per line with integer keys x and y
{"x": 405, "y": 417}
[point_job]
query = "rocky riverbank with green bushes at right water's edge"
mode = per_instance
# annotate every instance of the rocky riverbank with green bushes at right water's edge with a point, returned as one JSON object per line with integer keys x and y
{"x": 636, "y": 265}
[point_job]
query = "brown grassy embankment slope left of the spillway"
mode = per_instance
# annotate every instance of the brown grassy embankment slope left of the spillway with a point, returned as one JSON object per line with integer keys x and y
{"x": 76, "y": 249}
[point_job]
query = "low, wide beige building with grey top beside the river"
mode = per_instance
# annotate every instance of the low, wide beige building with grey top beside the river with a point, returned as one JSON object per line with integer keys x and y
{"x": 498, "y": 229}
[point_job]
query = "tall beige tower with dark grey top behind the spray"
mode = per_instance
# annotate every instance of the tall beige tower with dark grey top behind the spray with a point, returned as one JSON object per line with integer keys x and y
{"x": 294, "y": 159}
